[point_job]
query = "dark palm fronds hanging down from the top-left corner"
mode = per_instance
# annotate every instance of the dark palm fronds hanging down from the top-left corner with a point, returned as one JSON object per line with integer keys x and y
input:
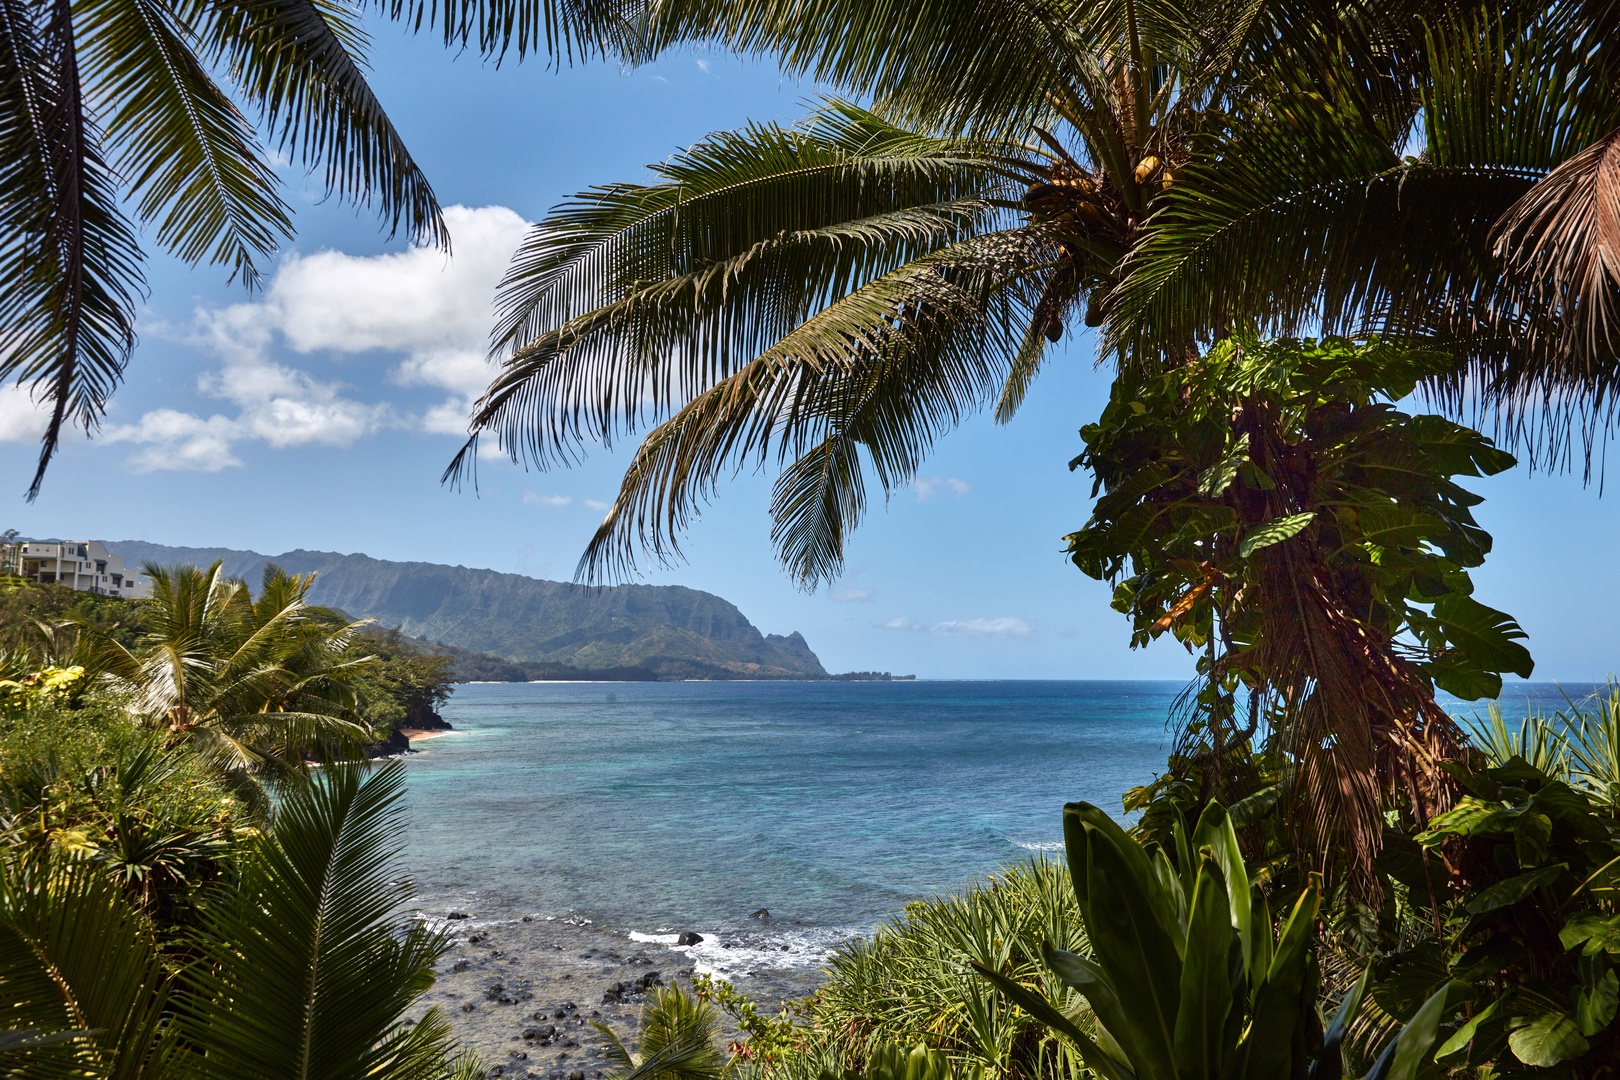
{"x": 127, "y": 116}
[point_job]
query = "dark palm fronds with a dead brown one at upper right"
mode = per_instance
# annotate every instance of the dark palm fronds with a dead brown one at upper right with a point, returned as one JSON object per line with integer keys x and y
{"x": 1467, "y": 200}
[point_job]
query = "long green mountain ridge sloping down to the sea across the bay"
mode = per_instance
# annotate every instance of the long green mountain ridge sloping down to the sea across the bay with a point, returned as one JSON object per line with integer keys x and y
{"x": 625, "y": 632}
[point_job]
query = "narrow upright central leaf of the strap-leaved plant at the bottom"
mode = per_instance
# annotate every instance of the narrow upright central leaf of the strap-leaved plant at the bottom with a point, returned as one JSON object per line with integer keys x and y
{"x": 1206, "y": 979}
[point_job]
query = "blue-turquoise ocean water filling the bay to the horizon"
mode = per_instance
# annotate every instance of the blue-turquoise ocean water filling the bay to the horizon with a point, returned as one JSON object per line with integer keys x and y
{"x": 649, "y": 807}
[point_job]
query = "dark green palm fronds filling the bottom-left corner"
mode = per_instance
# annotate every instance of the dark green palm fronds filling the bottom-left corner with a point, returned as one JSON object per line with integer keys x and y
{"x": 302, "y": 967}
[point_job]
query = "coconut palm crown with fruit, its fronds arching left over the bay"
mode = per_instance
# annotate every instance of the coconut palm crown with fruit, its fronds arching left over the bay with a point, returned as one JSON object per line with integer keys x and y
{"x": 835, "y": 296}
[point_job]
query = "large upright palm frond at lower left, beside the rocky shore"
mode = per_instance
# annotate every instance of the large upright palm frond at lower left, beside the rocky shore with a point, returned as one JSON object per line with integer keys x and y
{"x": 313, "y": 966}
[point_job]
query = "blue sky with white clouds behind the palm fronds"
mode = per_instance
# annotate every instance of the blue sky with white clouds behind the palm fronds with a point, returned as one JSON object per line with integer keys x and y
{"x": 322, "y": 412}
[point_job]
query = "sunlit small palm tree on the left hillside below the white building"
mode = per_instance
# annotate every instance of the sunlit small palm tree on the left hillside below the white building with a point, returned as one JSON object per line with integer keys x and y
{"x": 250, "y": 682}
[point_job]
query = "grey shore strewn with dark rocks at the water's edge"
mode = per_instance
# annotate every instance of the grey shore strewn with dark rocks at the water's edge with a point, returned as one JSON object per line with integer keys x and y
{"x": 524, "y": 993}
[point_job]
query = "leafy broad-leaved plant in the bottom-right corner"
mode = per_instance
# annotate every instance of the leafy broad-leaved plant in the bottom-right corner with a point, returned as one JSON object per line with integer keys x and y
{"x": 1527, "y": 935}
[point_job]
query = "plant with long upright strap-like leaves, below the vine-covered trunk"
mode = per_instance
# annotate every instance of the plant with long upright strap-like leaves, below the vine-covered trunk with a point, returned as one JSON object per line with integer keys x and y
{"x": 1185, "y": 977}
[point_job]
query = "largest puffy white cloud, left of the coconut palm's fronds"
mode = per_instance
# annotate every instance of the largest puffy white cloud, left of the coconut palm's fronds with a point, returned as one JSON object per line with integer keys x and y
{"x": 430, "y": 310}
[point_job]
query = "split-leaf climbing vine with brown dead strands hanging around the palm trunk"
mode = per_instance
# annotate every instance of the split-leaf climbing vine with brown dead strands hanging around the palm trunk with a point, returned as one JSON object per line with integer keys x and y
{"x": 1269, "y": 508}
